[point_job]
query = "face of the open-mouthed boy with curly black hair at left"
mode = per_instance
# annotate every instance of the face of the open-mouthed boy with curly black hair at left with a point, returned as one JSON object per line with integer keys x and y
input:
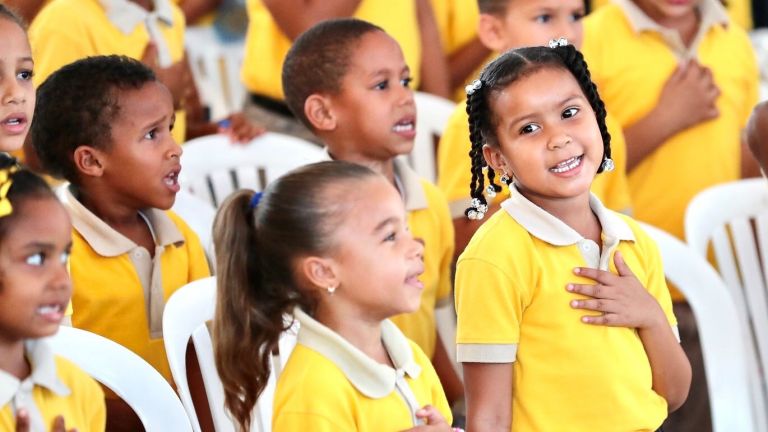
{"x": 142, "y": 166}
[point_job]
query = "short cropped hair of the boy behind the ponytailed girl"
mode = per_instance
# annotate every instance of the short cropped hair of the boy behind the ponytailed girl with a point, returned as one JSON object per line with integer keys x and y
{"x": 318, "y": 60}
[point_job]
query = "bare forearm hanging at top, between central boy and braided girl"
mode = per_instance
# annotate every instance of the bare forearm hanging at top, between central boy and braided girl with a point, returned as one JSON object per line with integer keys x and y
{"x": 434, "y": 67}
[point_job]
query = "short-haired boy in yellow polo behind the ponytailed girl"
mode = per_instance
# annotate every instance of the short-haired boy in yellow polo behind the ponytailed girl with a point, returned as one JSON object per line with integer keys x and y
{"x": 348, "y": 82}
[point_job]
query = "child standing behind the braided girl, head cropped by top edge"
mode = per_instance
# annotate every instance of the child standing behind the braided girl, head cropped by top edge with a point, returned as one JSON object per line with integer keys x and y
{"x": 504, "y": 25}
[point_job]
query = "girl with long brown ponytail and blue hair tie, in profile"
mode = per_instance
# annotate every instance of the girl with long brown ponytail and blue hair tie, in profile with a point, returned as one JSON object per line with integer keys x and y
{"x": 329, "y": 243}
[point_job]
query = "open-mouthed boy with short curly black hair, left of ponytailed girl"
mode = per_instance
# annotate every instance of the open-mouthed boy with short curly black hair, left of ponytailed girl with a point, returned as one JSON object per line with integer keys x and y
{"x": 104, "y": 124}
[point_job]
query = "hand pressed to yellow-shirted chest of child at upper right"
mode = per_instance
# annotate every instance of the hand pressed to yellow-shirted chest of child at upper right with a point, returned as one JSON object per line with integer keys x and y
{"x": 689, "y": 96}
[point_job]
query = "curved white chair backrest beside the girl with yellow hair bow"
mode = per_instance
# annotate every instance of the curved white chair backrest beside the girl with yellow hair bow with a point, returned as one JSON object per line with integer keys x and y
{"x": 125, "y": 373}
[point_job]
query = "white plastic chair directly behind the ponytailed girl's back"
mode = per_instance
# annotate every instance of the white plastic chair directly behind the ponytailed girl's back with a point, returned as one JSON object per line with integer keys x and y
{"x": 184, "y": 317}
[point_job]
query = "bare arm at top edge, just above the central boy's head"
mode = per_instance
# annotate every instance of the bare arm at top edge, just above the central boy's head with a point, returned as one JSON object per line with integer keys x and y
{"x": 295, "y": 16}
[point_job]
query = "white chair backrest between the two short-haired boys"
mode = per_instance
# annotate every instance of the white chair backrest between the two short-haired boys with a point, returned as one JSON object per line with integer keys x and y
{"x": 213, "y": 167}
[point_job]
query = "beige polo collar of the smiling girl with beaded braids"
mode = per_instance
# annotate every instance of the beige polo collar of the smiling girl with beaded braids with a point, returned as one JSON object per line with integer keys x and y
{"x": 552, "y": 230}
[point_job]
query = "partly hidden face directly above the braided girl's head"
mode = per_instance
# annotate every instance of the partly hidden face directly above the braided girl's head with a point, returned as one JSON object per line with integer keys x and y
{"x": 536, "y": 22}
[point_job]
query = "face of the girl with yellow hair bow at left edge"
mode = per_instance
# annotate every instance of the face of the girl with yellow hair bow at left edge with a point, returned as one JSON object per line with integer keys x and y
{"x": 35, "y": 286}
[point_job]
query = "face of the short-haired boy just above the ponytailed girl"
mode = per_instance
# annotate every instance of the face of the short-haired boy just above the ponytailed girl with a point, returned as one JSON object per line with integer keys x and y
{"x": 375, "y": 111}
